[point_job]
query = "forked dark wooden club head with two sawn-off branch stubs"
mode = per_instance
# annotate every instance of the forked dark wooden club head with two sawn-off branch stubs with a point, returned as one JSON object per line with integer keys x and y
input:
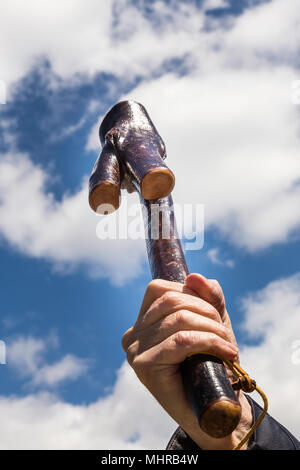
{"x": 132, "y": 158}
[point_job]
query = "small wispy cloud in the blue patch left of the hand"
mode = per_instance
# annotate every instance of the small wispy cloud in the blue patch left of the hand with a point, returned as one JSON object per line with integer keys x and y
{"x": 27, "y": 356}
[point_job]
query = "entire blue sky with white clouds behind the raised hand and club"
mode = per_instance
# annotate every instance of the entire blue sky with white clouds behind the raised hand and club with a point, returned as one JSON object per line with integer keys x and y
{"x": 216, "y": 77}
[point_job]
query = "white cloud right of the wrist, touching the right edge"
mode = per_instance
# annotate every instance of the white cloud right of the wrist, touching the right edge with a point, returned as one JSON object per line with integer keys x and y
{"x": 273, "y": 315}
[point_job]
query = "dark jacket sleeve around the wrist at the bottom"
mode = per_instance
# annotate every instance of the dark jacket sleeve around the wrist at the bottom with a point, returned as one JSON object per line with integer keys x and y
{"x": 270, "y": 435}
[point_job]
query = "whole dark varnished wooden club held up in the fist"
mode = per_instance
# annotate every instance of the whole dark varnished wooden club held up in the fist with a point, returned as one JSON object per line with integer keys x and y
{"x": 132, "y": 157}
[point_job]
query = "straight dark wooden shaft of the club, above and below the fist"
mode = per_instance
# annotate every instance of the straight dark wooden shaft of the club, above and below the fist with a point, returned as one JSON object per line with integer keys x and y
{"x": 206, "y": 383}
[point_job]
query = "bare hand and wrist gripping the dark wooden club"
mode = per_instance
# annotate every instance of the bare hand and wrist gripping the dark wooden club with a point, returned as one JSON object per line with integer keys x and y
{"x": 175, "y": 321}
